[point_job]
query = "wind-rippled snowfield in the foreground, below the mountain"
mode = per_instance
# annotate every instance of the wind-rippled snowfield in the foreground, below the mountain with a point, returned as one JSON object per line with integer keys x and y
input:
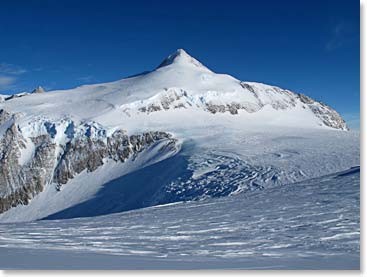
{"x": 308, "y": 225}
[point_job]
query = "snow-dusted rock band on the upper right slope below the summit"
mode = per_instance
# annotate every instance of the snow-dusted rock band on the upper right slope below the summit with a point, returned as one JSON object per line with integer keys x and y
{"x": 280, "y": 99}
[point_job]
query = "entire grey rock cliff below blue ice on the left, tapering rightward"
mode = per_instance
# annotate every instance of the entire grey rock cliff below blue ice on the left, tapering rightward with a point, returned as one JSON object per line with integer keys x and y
{"x": 21, "y": 180}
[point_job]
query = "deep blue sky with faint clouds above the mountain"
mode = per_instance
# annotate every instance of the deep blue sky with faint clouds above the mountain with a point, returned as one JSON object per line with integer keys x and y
{"x": 306, "y": 46}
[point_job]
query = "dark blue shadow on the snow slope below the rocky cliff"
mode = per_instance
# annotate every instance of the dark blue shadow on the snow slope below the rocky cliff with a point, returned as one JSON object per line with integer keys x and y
{"x": 132, "y": 191}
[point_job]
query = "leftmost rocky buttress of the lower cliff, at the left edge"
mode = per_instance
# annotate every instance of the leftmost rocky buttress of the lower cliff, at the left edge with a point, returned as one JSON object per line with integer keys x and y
{"x": 19, "y": 184}
